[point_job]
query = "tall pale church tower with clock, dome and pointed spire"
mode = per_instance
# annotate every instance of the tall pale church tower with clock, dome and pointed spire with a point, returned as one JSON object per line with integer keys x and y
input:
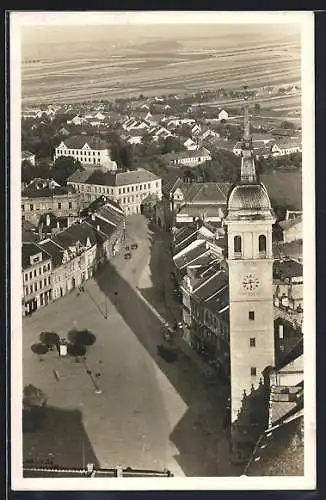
{"x": 249, "y": 223}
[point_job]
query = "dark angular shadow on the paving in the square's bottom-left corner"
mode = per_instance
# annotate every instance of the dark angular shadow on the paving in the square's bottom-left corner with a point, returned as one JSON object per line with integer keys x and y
{"x": 61, "y": 438}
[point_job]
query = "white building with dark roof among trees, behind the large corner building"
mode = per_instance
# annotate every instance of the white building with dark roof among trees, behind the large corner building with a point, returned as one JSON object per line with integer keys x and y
{"x": 91, "y": 151}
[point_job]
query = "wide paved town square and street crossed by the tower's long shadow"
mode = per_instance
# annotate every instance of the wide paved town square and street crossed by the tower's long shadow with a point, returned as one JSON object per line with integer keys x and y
{"x": 150, "y": 413}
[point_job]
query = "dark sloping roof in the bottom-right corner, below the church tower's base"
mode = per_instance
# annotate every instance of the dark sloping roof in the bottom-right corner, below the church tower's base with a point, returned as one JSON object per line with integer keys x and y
{"x": 280, "y": 452}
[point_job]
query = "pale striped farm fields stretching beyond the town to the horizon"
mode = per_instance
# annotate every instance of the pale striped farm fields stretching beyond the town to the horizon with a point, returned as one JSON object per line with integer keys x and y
{"x": 75, "y": 76}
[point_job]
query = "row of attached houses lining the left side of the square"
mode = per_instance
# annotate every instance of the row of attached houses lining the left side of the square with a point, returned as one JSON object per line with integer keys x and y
{"x": 53, "y": 267}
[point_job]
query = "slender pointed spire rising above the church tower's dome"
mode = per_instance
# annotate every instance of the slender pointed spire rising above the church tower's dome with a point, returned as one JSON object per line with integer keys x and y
{"x": 248, "y": 170}
